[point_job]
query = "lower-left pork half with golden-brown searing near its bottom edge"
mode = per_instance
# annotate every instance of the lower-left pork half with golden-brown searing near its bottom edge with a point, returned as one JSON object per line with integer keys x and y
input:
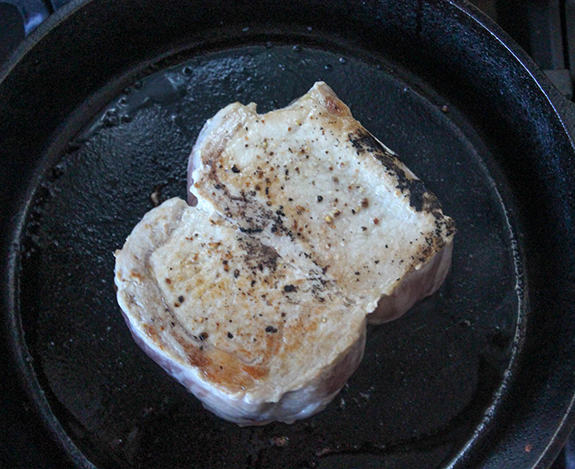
{"x": 256, "y": 339}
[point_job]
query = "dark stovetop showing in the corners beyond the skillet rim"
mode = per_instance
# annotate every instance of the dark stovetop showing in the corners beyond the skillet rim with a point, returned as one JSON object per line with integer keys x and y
{"x": 544, "y": 28}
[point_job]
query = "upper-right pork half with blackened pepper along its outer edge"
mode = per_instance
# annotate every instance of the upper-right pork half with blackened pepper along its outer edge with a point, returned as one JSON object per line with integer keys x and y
{"x": 312, "y": 182}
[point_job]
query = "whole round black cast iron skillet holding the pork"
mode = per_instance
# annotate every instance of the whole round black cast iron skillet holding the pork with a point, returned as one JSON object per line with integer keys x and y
{"x": 99, "y": 109}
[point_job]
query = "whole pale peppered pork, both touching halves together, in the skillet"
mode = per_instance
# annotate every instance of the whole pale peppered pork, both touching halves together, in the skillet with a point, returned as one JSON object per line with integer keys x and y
{"x": 306, "y": 227}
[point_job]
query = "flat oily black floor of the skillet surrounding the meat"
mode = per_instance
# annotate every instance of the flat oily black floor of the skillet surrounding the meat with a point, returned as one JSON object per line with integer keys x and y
{"x": 427, "y": 380}
